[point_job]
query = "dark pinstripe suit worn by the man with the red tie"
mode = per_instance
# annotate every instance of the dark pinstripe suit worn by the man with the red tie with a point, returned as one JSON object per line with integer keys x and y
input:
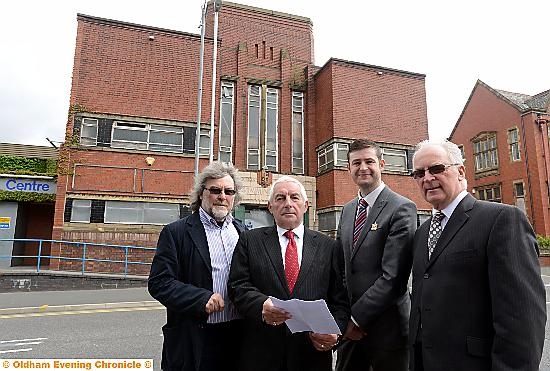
{"x": 257, "y": 272}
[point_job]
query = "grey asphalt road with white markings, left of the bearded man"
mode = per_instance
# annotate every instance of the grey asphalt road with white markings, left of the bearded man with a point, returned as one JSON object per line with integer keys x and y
{"x": 132, "y": 333}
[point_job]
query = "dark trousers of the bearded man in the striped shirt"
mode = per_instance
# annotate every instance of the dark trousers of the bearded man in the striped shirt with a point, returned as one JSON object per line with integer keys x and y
{"x": 221, "y": 346}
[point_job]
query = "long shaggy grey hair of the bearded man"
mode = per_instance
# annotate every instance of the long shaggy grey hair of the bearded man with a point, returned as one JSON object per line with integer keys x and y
{"x": 215, "y": 170}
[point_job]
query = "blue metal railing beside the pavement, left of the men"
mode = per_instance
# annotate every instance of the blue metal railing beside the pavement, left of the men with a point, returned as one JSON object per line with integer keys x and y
{"x": 89, "y": 254}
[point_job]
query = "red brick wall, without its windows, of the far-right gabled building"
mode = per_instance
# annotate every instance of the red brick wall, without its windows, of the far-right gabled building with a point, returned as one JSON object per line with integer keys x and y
{"x": 486, "y": 111}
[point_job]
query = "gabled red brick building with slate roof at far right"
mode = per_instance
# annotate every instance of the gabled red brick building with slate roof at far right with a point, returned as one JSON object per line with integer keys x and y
{"x": 505, "y": 142}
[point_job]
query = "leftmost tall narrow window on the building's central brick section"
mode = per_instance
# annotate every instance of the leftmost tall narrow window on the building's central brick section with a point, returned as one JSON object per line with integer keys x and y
{"x": 226, "y": 122}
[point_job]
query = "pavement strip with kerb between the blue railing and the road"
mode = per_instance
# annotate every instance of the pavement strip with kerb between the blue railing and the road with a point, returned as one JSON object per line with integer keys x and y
{"x": 56, "y": 301}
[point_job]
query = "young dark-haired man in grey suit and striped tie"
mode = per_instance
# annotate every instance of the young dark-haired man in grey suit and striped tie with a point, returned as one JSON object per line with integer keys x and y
{"x": 375, "y": 233}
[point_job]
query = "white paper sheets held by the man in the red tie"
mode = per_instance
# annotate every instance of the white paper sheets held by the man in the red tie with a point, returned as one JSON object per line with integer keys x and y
{"x": 308, "y": 316}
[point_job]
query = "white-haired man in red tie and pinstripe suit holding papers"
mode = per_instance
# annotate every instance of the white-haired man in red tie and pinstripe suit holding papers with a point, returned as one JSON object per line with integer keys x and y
{"x": 286, "y": 261}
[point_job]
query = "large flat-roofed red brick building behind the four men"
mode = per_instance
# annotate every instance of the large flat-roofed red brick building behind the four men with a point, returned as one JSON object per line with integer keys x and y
{"x": 130, "y": 138}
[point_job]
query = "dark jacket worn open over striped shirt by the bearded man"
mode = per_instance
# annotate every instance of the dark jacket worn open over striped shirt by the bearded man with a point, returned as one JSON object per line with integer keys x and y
{"x": 181, "y": 279}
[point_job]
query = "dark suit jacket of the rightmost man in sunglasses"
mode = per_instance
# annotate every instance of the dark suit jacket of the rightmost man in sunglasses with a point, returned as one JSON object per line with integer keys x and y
{"x": 480, "y": 298}
